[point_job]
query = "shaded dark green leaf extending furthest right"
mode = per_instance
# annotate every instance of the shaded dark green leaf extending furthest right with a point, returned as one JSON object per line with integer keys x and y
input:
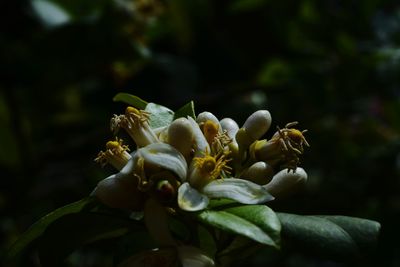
{"x": 332, "y": 236}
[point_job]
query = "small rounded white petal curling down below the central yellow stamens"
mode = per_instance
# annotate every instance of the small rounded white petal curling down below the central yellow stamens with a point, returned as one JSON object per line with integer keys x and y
{"x": 190, "y": 199}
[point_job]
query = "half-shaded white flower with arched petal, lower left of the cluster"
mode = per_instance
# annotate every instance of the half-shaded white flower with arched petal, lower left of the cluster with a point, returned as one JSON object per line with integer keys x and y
{"x": 145, "y": 173}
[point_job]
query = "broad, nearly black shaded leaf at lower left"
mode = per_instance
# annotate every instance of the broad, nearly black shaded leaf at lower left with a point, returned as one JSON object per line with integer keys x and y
{"x": 73, "y": 230}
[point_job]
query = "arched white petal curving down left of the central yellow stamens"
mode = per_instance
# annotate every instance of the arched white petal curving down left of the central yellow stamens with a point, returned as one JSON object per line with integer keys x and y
{"x": 164, "y": 156}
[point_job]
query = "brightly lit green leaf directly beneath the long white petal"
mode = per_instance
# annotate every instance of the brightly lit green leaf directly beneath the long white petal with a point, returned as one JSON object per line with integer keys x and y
{"x": 256, "y": 222}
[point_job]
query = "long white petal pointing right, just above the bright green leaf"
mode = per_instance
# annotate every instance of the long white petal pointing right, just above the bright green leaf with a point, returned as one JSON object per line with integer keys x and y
{"x": 242, "y": 191}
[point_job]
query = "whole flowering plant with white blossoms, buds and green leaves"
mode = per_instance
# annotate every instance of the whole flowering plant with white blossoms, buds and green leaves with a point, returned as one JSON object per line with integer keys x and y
{"x": 197, "y": 188}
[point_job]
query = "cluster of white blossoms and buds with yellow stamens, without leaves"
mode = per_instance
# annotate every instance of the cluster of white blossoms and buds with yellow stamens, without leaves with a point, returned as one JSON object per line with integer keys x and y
{"x": 188, "y": 162}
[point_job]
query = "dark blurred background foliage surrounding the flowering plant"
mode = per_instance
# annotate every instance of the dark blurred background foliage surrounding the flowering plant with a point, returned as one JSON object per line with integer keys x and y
{"x": 332, "y": 65}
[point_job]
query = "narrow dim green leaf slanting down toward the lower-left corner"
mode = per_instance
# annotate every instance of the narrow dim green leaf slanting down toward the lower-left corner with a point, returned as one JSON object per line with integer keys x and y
{"x": 37, "y": 229}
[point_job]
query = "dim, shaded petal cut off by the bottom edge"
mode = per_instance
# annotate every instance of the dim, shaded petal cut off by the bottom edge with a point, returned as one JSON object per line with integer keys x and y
{"x": 194, "y": 257}
